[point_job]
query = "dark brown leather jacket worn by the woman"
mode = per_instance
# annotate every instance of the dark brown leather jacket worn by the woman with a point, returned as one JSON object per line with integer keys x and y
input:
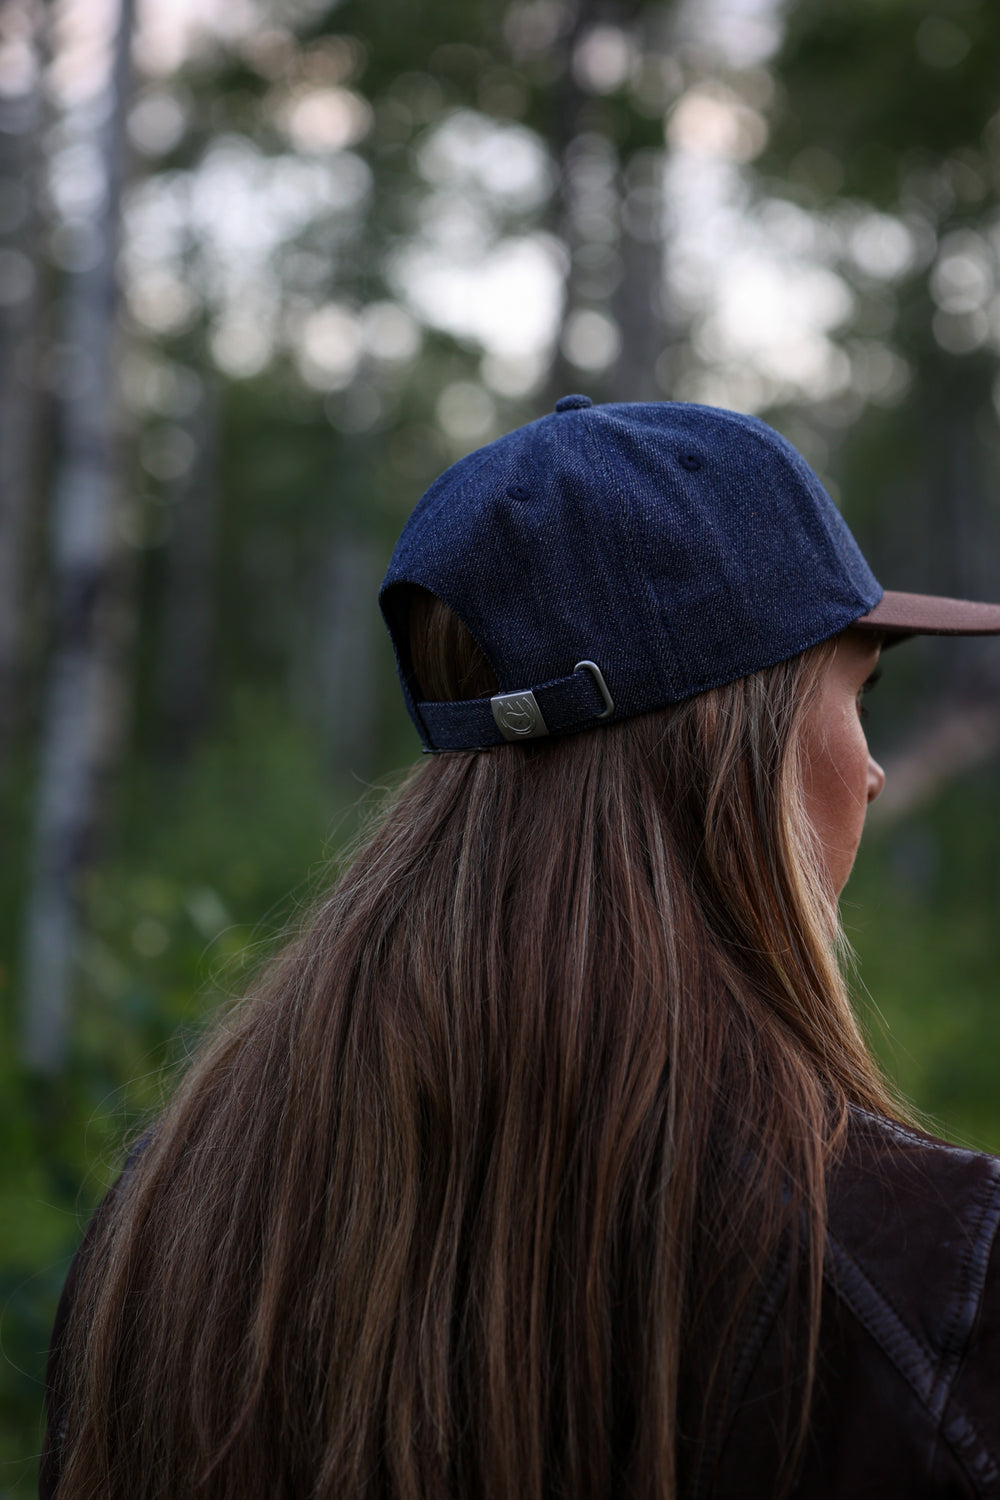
{"x": 908, "y": 1394}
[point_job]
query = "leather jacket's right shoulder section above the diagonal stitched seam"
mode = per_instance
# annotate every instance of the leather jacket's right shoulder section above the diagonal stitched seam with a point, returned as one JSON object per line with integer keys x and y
{"x": 914, "y": 1258}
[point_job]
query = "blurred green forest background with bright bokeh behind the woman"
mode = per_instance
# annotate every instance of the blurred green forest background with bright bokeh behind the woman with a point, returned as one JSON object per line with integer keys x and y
{"x": 266, "y": 266}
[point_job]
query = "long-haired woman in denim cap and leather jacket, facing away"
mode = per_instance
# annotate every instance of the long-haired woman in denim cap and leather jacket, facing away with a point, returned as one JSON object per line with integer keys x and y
{"x": 549, "y": 1162}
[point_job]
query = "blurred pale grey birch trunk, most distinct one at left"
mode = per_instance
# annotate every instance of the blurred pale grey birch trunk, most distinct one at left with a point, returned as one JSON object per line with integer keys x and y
{"x": 83, "y": 692}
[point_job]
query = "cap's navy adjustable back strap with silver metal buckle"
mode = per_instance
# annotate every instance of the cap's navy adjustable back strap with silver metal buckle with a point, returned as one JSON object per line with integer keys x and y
{"x": 557, "y": 707}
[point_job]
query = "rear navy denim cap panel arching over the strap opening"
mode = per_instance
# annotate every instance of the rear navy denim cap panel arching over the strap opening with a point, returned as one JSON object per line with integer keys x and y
{"x": 531, "y": 556}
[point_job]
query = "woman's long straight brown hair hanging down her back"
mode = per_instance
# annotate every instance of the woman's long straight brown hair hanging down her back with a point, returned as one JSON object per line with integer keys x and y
{"x": 472, "y": 1195}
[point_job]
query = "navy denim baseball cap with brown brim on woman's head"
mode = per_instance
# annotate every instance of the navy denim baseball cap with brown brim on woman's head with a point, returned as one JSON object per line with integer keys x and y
{"x": 612, "y": 560}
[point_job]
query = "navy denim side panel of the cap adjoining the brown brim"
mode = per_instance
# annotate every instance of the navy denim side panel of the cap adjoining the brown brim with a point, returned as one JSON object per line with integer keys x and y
{"x": 744, "y": 557}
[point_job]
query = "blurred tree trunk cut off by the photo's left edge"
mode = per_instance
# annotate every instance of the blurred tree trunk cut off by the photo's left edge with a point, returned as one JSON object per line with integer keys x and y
{"x": 20, "y": 307}
